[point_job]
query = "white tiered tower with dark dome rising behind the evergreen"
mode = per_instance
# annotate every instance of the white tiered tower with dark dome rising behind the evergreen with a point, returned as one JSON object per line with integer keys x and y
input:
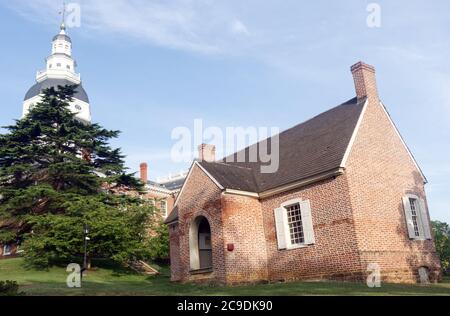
{"x": 60, "y": 71}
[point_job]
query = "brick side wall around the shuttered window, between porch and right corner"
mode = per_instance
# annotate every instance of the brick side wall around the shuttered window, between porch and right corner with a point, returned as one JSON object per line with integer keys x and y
{"x": 335, "y": 253}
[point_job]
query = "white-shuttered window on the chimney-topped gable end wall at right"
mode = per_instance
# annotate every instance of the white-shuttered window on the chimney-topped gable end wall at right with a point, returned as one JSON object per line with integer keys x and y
{"x": 417, "y": 219}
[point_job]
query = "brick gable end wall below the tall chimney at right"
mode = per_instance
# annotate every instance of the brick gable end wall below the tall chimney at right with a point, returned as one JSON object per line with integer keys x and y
{"x": 380, "y": 173}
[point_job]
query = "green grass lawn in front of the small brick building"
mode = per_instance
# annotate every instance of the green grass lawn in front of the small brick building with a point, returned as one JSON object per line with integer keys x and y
{"x": 114, "y": 281}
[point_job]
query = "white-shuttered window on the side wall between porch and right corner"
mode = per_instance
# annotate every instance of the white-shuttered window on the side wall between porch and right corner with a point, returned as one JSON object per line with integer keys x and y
{"x": 294, "y": 224}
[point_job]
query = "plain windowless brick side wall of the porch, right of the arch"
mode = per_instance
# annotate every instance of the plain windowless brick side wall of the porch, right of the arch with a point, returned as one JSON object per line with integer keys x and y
{"x": 244, "y": 228}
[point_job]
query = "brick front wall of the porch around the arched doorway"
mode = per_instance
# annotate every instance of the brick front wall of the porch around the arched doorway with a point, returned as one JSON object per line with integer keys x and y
{"x": 201, "y": 197}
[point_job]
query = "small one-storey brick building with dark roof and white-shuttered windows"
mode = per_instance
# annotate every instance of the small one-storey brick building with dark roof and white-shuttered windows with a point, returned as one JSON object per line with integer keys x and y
{"x": 348, "y": 194}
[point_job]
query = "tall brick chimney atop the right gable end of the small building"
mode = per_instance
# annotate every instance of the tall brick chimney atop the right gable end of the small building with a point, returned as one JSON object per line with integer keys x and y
{"x": 365, "y": 81}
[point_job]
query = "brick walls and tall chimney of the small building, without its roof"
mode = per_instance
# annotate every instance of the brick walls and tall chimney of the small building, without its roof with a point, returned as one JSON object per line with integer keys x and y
{"x": 358, "y": 214}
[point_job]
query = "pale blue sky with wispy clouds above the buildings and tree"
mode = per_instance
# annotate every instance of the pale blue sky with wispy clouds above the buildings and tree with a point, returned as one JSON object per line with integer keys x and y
{"x": 152, "y": 66}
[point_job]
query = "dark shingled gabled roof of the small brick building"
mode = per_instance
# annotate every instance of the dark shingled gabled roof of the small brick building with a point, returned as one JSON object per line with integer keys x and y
{"x": 314, "y": 147}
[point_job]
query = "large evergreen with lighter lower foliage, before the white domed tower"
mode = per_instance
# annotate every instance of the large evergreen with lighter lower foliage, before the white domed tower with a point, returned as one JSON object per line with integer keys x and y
{"x": 56, "y": 175}
